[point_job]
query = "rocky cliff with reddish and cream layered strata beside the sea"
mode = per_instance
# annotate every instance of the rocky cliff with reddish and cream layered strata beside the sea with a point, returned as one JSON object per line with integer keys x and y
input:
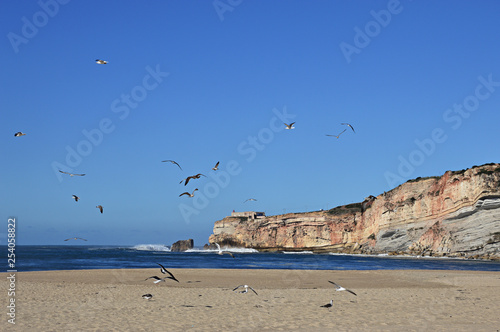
{"x": 456, "y": 215}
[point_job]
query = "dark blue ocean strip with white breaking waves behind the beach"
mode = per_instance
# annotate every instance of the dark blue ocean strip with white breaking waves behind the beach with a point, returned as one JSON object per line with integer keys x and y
{"x": 77, "y": 257}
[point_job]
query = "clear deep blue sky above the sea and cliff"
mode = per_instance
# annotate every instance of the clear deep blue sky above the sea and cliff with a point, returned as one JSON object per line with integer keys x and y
{"x": 206, "y": 81}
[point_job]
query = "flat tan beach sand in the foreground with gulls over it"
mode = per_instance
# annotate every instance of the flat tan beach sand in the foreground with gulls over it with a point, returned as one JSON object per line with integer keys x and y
{"x": 287, "y": 300}
